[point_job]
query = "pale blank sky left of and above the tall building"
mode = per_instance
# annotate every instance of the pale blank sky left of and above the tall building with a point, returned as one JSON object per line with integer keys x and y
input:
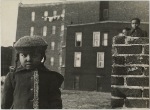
{"x": 9, "y": 13}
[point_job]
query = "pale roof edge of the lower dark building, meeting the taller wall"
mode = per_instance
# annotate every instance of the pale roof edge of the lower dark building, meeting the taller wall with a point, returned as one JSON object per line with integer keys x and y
{"x": 103, "y": 22}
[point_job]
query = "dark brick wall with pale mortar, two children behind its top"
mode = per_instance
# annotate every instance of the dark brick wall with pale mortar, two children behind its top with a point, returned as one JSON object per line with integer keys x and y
{"x": 130, "y": 72}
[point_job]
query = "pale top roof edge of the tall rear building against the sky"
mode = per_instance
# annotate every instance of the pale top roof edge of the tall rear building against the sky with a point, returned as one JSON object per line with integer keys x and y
{"x": 49, "y": 4}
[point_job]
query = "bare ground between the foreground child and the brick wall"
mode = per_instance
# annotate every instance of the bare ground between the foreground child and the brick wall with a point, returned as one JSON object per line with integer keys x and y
{"x": 85, "y": 99}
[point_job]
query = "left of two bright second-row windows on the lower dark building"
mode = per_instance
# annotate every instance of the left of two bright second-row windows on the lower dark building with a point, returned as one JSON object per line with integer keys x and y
{"x": 77, "y": 59}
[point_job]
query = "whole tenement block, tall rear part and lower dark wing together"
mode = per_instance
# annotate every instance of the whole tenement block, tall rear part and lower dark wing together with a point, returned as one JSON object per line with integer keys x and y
{"x": 78, "y": 31}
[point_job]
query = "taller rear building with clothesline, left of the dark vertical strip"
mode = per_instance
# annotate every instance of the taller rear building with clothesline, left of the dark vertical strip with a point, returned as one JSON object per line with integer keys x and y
{"x": 50, "y": 21}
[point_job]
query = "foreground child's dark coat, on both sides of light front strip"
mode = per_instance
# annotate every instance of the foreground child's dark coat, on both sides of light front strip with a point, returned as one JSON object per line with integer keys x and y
{"x": 18, "y": 90}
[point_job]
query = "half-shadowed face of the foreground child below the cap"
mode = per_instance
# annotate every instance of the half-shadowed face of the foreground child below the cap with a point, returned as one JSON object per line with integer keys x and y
{"x": 30, "y": 60}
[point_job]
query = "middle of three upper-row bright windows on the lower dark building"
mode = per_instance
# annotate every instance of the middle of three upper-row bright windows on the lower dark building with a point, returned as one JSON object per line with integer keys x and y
{"x": 96, "y": 39}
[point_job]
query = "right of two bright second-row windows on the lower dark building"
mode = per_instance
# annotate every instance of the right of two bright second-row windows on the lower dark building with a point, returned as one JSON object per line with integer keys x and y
{"x": 100, "y": 59}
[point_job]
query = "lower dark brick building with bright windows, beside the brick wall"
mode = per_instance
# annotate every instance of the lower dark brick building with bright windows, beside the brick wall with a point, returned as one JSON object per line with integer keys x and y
{"x": 88, "y": 55}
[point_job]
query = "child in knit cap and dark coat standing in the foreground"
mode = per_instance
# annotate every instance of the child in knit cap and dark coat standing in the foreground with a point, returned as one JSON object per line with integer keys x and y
{"x": 32, "y": 85}
